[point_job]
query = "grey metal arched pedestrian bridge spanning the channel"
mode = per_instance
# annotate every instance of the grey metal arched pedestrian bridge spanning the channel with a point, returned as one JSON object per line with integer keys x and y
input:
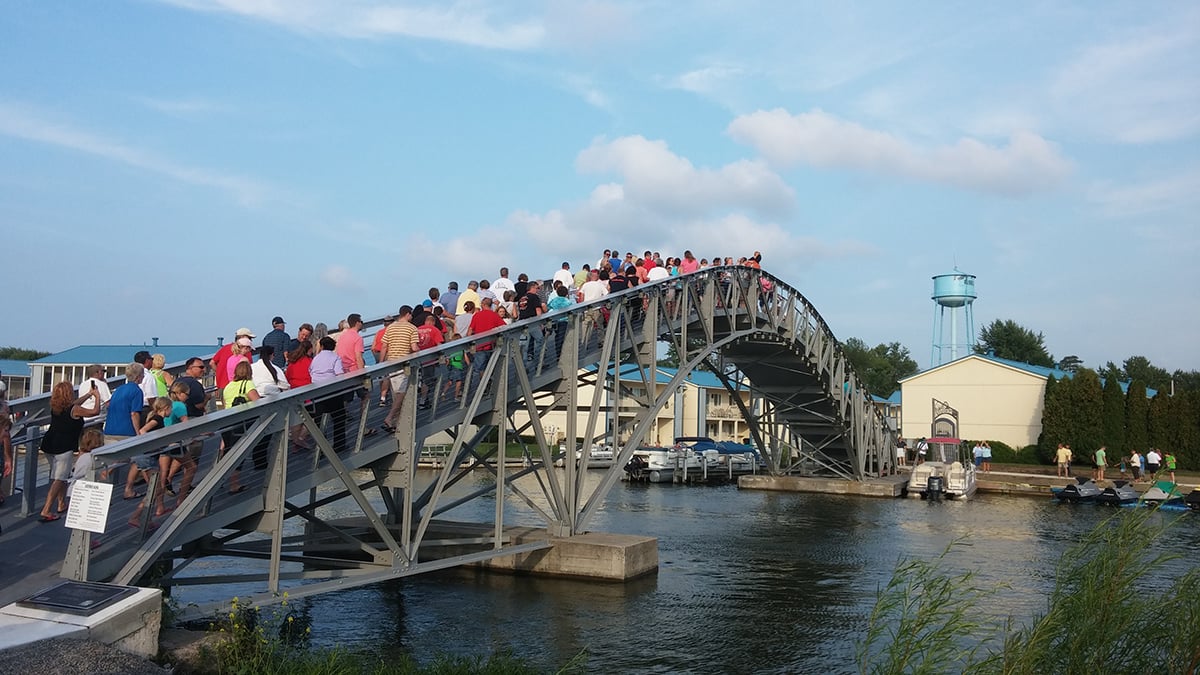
{"x": 808, "y": 415}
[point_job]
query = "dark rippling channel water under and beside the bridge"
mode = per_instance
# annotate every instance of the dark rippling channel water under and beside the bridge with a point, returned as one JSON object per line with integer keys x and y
{"x": 748, "y": 582}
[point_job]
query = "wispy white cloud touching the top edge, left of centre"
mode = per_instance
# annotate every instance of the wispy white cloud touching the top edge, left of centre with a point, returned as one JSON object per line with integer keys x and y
{"x": 464, "y": 23}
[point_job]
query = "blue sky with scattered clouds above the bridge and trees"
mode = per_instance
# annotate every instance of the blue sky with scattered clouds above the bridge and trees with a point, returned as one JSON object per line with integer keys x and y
{"x": 179, "y": 169}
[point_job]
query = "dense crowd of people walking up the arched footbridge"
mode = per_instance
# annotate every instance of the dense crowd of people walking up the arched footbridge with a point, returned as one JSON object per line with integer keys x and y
{"x": 152, "y": 399}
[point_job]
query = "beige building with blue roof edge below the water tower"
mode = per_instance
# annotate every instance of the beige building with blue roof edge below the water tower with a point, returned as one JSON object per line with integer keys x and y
{"x": 995, "y": 399}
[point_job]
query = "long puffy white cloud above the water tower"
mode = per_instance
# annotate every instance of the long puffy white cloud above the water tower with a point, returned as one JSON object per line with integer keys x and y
{"x": 1027, "y": 165}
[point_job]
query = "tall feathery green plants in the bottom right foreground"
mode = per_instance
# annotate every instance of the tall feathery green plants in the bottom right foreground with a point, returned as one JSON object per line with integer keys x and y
{"x": 1115, "y": 608}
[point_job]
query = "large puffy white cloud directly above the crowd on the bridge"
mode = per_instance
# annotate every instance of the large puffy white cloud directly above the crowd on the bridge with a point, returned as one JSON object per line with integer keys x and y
{"x": 661, "y": 202}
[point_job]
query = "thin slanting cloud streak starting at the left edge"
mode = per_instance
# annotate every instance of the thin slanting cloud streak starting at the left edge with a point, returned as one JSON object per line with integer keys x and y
{"x": 29, "y": 124}
